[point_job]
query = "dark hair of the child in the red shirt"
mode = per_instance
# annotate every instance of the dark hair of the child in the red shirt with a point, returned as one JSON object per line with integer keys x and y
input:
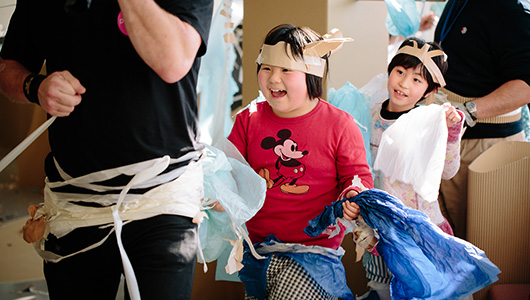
{"x": 298, "y": 37}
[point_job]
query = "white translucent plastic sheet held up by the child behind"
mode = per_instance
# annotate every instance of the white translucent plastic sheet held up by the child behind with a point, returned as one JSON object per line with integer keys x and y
{"x": 412, "y": 150}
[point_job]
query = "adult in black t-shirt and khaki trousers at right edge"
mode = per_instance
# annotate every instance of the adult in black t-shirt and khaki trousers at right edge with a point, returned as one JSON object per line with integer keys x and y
{"x": 488, "y": 48}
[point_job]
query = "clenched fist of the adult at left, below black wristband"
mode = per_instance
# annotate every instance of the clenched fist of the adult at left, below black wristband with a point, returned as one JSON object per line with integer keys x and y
{"x": 60, "y": 93}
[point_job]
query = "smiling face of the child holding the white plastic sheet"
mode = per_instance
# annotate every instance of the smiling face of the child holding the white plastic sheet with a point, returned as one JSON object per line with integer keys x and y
{"x": 405, "y": 87}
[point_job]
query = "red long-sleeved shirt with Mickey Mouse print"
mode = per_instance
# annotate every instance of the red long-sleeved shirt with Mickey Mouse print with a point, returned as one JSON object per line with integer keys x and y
{"x": 308, "y": 163}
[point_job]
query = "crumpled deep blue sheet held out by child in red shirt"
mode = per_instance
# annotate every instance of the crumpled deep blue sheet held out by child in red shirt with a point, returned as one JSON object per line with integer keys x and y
{"x": 426, "y": 262}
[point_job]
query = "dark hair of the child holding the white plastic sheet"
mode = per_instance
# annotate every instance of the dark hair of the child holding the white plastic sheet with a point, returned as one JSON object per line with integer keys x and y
{"x": 409, "y": 61}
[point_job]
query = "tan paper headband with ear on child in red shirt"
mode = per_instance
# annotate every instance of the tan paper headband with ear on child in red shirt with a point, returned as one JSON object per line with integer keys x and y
{"x": 280, "y": 55}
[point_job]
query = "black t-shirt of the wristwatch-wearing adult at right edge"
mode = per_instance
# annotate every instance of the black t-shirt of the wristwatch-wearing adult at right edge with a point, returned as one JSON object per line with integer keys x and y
{"x": 488, "y": 44}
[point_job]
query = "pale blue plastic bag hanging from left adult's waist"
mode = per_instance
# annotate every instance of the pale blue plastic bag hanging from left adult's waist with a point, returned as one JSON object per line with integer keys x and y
{"x": 238, "y": 188}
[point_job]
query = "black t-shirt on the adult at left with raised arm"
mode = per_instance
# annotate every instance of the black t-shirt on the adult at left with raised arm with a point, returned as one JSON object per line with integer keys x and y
{"x": 128, "y": 114}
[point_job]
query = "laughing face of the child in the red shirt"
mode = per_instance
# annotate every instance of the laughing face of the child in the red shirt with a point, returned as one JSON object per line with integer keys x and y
{"x": 285, "y": 91}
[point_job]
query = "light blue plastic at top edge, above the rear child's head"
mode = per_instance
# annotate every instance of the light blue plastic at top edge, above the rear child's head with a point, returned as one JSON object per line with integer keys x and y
{"x": 403, "y": 17}
